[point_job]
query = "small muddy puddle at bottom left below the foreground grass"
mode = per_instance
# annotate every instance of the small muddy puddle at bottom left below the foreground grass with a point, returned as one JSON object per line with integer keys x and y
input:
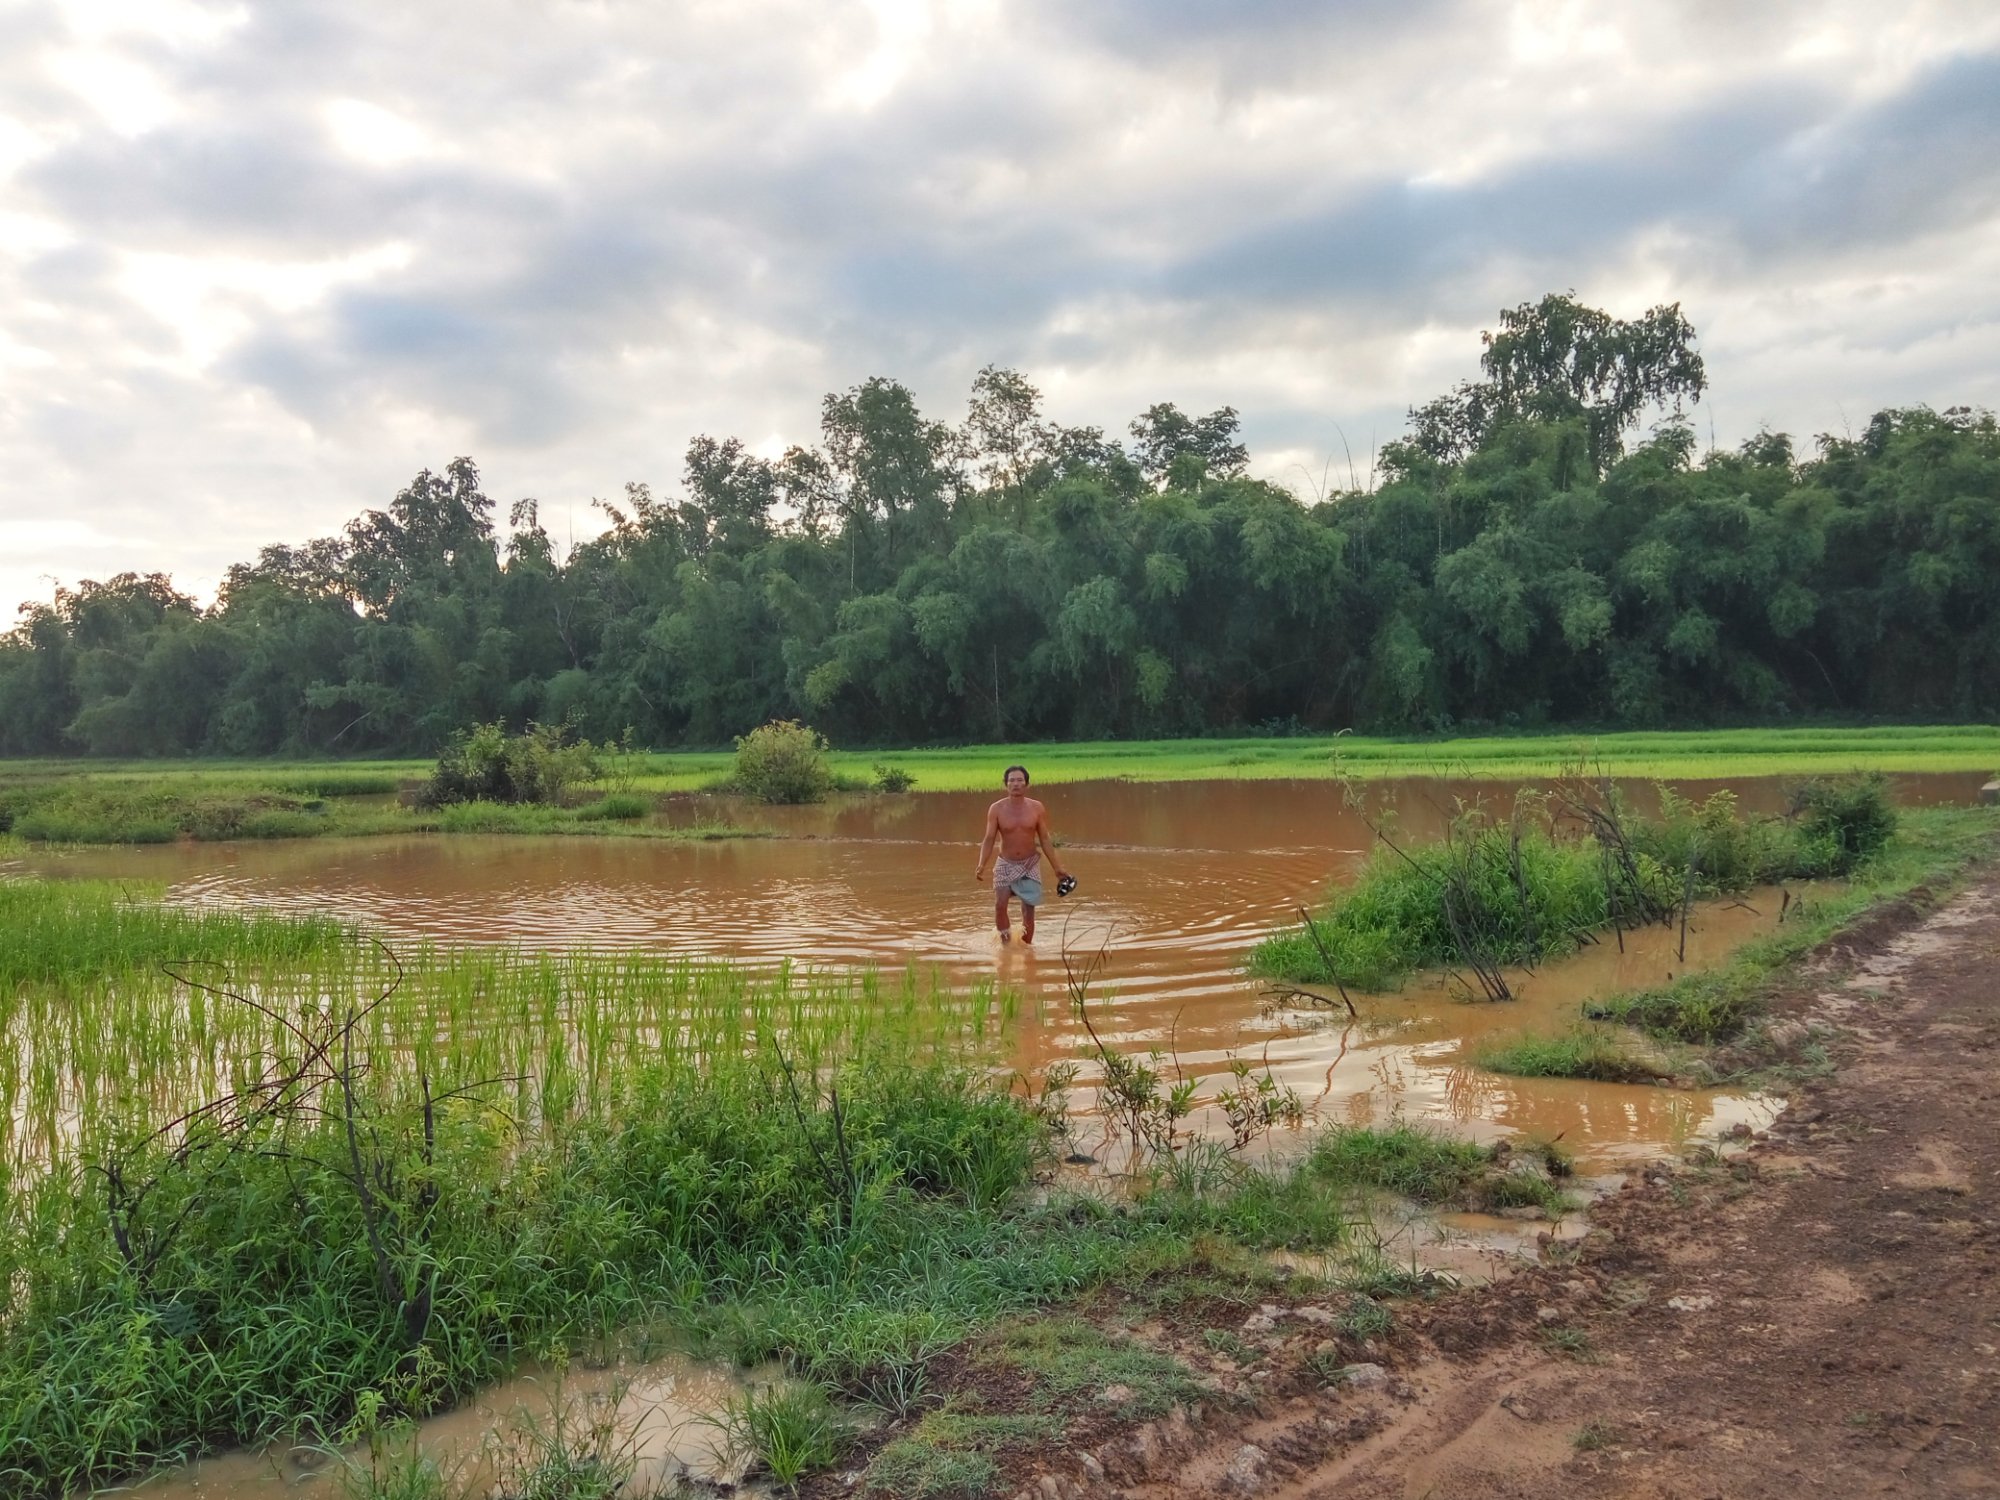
{"x": 661, "y": 1419}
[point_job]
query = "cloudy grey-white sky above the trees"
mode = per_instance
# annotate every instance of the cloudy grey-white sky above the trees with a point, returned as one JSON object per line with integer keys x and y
{"x": 261, "y": 263}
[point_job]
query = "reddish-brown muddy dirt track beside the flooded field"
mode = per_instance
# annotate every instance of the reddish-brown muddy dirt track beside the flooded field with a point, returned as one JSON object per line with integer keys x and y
{"x": 1817, "y": 1315}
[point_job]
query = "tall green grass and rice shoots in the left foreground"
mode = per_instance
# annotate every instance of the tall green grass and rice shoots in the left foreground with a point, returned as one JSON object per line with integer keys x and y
{"x": 263, "y": 1177}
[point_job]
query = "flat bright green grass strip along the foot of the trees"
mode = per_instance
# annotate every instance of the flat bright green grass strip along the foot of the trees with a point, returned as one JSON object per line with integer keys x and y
{"x": 213, "y": 799}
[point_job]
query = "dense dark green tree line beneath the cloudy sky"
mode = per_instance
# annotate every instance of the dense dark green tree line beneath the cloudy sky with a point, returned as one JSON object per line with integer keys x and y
{"x": 1547, "y": 545}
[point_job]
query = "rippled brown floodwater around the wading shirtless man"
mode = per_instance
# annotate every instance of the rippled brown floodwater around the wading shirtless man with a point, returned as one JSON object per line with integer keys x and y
{"x": 1179, "y": 881}
